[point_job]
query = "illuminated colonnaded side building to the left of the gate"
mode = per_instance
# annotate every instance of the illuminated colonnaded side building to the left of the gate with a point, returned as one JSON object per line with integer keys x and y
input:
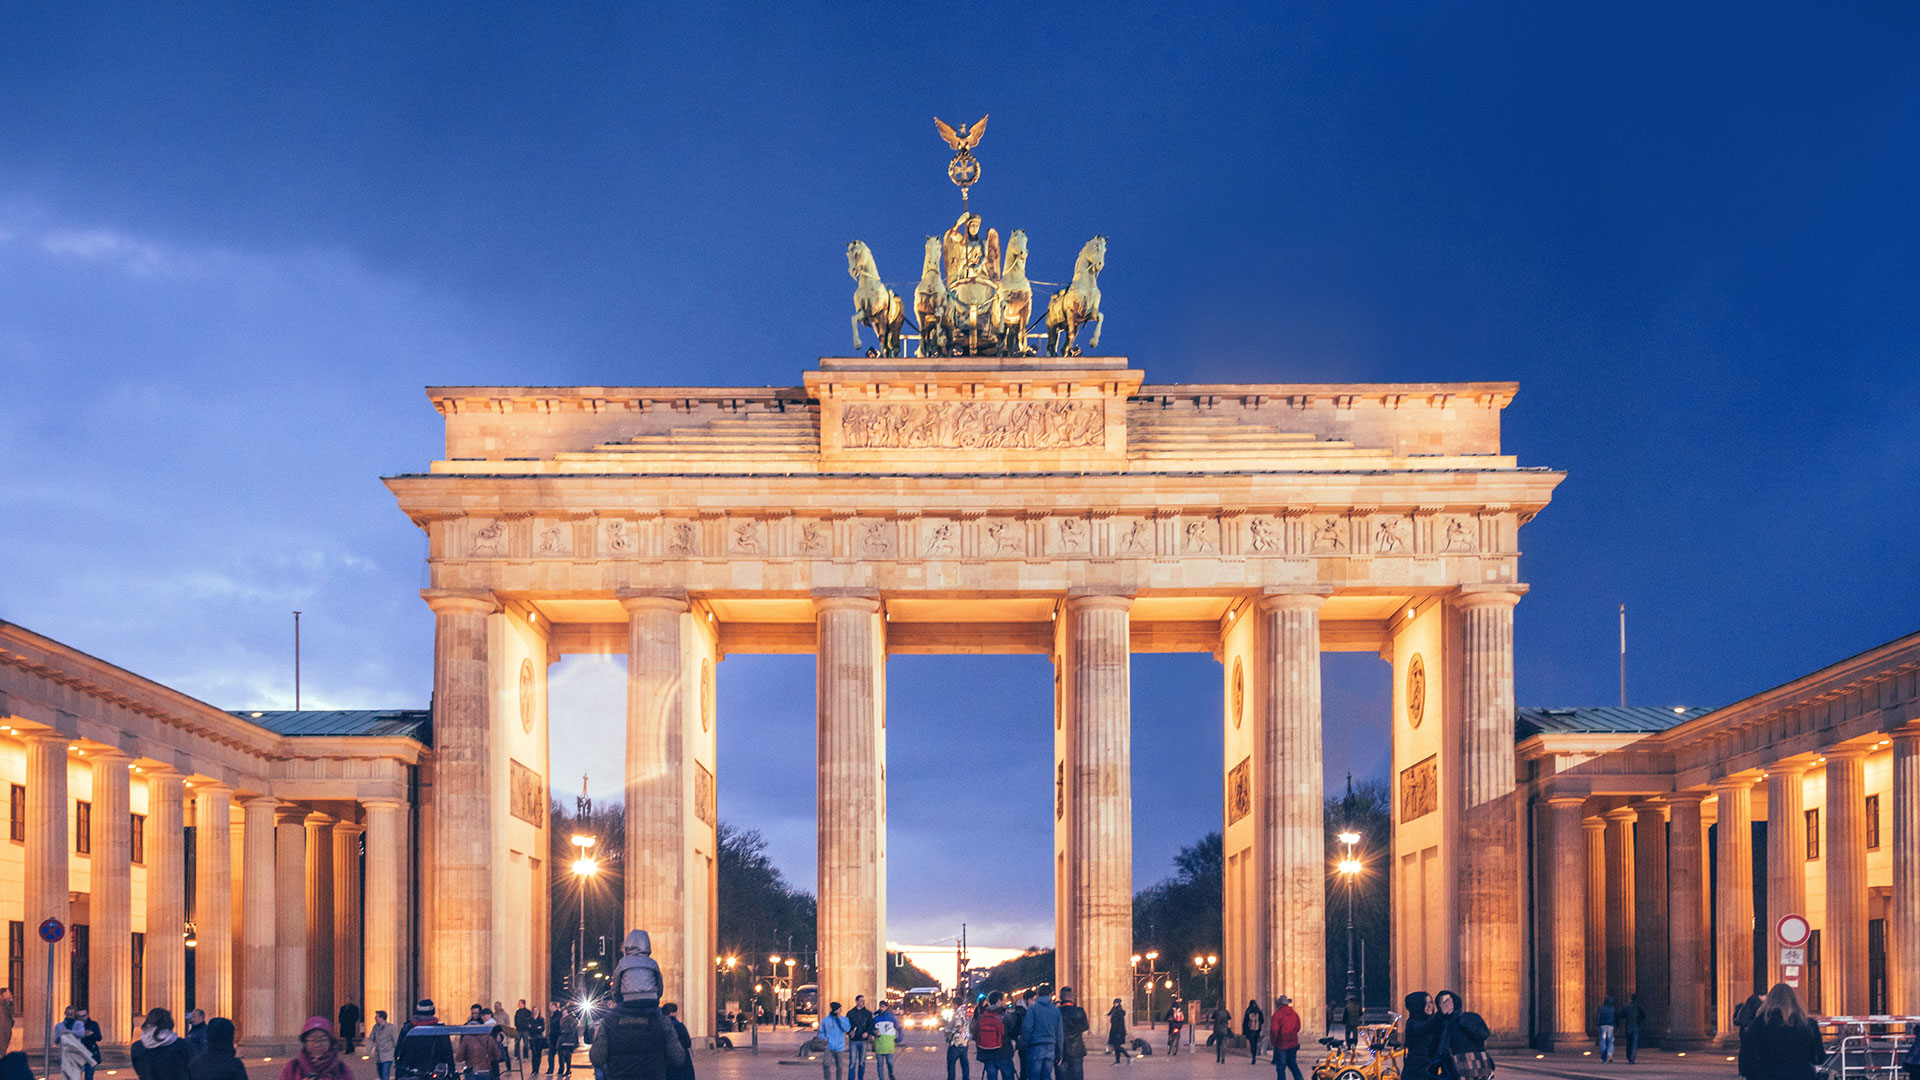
{"x": 256, "y": 866}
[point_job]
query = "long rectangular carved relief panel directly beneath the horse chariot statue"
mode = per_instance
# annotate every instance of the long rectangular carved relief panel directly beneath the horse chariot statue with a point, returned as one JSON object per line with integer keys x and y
{"x": 974, "y": 426}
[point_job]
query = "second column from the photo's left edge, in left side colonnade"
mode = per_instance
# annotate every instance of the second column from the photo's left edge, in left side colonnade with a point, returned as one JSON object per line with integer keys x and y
{"x": 110, "y": 902}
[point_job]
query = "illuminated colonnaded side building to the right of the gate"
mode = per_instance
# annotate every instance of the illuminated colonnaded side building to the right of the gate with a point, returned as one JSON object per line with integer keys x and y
{"x": 1668, "y": 845}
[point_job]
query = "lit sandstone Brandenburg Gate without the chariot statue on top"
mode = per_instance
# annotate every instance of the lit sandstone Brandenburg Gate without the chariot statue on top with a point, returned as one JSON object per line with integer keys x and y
{"x": 980, "y": 504}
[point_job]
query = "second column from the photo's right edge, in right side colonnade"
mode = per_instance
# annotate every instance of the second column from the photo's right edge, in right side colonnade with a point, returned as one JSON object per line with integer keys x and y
{"x": 1844, "y": 941}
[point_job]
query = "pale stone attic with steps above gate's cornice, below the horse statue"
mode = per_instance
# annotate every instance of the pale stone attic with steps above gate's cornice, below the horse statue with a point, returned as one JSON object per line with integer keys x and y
{"x": 1093, "y": 416}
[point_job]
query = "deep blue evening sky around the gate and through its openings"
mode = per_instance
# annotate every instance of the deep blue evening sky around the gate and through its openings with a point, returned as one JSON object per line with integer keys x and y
{"x": 235, "y": 243}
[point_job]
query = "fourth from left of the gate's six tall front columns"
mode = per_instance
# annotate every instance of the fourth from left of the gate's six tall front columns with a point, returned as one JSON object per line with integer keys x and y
{"x": 1095, "y": 795}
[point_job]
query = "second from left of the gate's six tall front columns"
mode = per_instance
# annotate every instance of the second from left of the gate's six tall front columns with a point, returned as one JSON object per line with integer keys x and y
{"x": 658, "y": 787}
